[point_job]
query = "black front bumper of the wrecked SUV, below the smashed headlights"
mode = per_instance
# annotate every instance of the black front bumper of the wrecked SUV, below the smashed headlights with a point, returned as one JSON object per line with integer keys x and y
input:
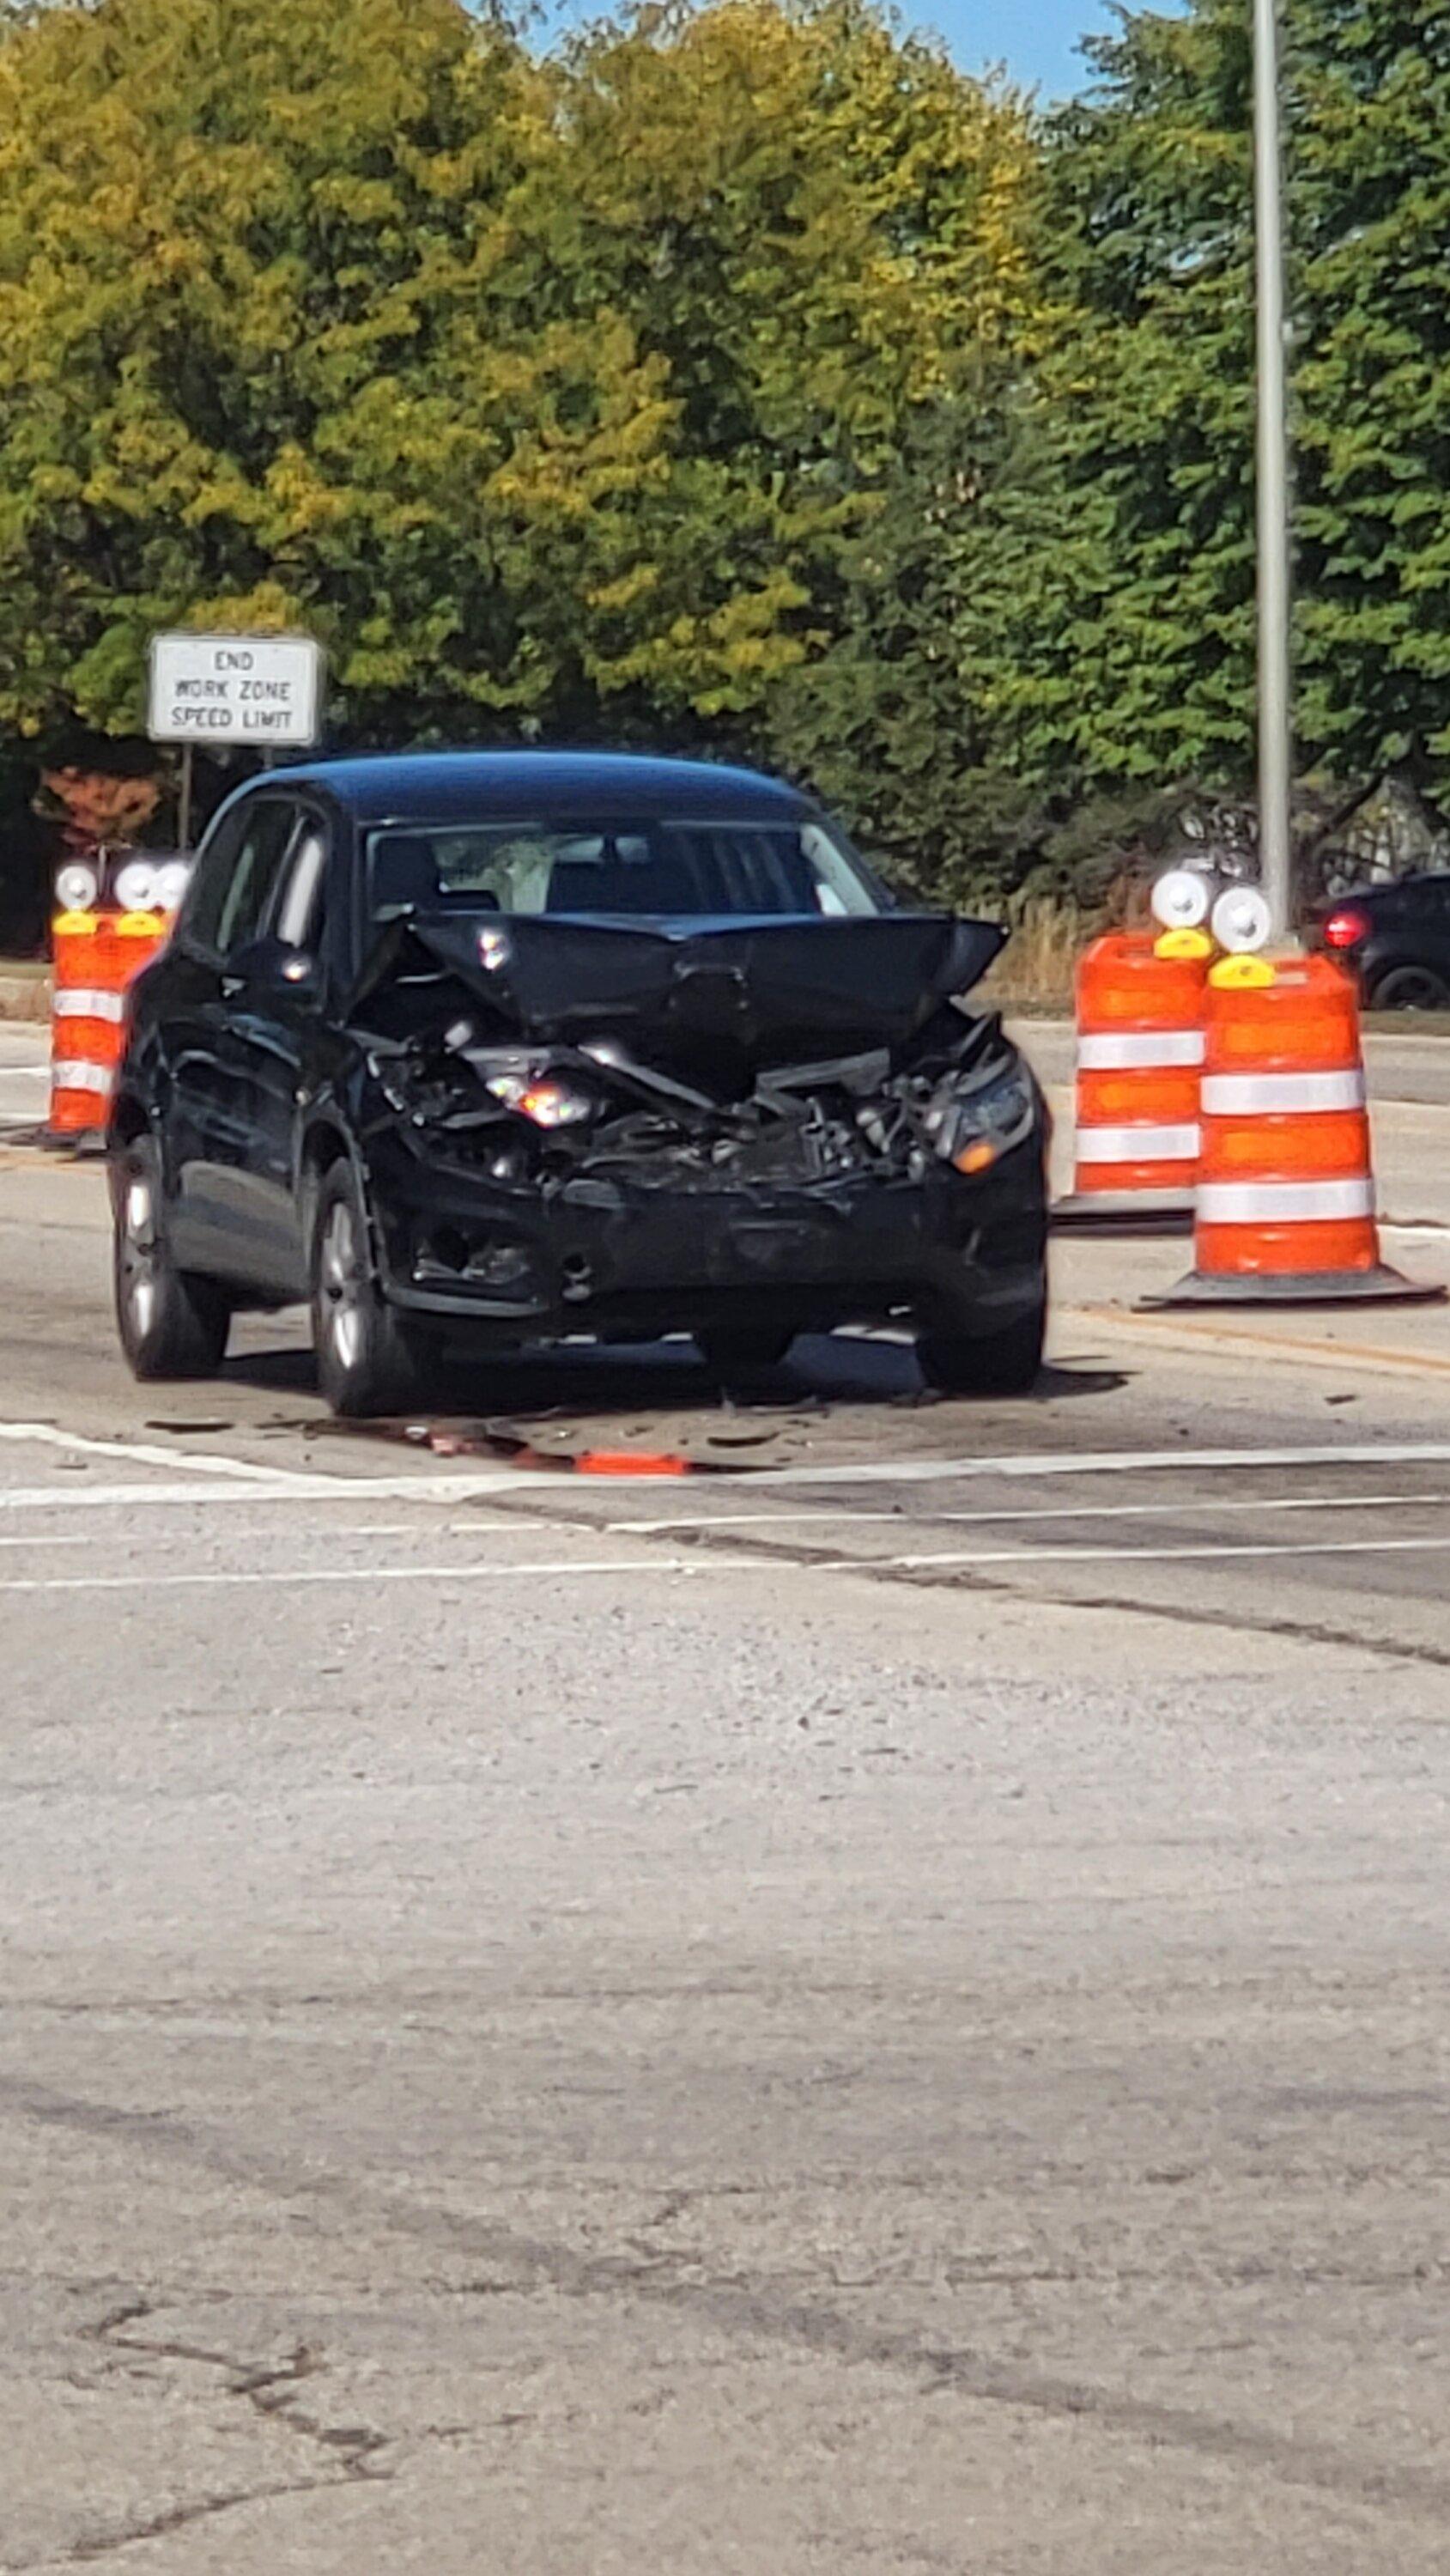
{"x": 617, "y": 1253}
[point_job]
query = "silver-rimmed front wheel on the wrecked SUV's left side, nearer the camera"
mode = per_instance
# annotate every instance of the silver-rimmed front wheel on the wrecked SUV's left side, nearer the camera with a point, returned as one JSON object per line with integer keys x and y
{"x": 370, "y": 1361}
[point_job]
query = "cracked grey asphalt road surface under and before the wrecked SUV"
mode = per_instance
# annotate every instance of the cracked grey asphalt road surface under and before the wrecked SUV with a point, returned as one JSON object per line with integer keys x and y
{"x": 882, "y": 2008}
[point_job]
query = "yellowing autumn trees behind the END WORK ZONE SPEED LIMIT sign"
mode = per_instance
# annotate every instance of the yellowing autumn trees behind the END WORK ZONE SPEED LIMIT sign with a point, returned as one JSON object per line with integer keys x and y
{"x": 550, "y": 393}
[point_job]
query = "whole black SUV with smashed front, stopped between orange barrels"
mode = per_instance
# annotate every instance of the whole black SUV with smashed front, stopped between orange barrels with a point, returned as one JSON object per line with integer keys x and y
{"x": 514, "y": 1047}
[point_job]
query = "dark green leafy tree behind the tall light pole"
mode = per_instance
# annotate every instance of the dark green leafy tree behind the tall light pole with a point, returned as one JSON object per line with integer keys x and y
{"x": 1106, "y": 591}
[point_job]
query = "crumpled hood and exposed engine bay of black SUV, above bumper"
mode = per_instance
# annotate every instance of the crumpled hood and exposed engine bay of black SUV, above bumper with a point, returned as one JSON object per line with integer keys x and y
{"x": 692, "y": 1060}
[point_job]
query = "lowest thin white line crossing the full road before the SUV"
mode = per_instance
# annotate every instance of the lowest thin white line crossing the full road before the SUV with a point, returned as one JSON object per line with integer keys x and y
{"x": 570, "y": 1567}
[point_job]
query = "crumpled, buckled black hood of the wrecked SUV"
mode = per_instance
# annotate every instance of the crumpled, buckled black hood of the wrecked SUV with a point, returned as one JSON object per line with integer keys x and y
{"x": 769, "y": 990}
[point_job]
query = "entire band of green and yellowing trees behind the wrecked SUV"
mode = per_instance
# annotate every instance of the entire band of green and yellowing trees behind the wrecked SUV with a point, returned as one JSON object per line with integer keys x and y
{"x": 735, "y": 377}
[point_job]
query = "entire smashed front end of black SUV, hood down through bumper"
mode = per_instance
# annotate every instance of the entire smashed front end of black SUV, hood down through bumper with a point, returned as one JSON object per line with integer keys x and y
{"x": 583, "y": 1127}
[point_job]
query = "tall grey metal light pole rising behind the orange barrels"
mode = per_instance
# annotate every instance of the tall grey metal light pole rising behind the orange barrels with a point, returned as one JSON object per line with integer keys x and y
{"x": 1276, "y": 753}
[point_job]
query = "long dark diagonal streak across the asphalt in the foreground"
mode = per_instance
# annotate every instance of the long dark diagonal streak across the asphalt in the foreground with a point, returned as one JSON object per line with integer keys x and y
{"x": 753, "y": 2315}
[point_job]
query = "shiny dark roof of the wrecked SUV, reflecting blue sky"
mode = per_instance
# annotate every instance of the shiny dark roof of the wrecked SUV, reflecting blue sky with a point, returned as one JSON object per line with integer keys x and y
{"x": 444, "y": 787}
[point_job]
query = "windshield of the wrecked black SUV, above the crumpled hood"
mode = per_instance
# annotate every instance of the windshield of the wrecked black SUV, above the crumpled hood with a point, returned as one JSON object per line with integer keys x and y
{"x": 655, "y": 869}
